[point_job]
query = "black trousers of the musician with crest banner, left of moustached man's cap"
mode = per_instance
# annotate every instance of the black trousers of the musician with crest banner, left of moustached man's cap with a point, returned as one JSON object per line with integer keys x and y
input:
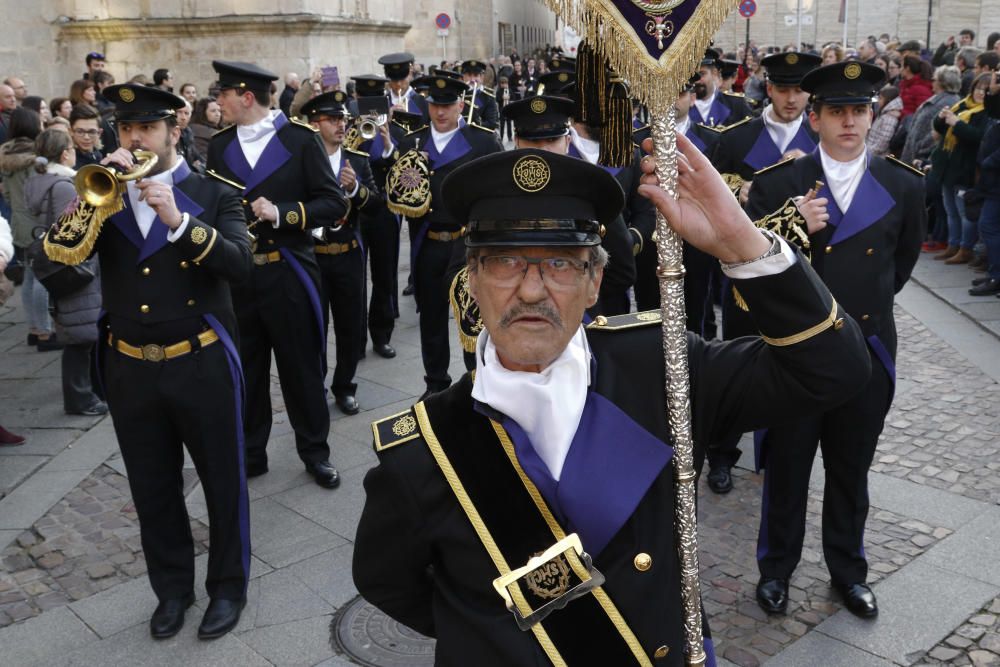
{"x": 431, "y": 281}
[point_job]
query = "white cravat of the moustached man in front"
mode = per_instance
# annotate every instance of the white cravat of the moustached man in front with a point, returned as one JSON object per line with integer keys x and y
{"x": 547, "y": 405}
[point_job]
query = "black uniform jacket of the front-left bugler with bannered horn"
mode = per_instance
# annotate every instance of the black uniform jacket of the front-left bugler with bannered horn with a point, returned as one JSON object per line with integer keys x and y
{"x": 155, "y": 291}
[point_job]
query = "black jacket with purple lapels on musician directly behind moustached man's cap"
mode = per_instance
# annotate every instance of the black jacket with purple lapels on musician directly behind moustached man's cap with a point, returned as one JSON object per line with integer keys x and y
{"x": 469, "y": 143}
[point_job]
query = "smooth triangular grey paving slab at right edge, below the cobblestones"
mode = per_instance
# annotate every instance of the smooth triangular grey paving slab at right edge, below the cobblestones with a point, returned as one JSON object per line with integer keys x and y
{"x": 973, "y": 551}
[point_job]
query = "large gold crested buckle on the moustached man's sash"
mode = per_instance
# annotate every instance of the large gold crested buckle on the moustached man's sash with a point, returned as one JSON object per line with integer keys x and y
{"x": 549, "y": 581}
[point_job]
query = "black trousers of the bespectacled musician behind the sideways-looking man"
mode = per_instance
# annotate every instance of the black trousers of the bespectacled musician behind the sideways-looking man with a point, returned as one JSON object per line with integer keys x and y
{"x": 343, "y": 298}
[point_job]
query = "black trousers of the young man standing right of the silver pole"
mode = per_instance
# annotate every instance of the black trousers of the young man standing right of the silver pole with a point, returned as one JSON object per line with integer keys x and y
{"x": 847, "y": 436}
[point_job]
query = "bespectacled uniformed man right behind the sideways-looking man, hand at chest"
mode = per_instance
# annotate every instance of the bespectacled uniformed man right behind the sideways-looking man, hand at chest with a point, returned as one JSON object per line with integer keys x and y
{"x": 340, "y": 250}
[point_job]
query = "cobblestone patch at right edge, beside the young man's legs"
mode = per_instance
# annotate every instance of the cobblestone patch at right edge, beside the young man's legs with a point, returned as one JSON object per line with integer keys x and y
{"x": 944, "y": 427}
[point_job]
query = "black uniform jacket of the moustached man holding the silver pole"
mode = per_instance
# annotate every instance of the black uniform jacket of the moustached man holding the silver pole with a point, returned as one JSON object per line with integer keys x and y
{"x": 418, "y": 558}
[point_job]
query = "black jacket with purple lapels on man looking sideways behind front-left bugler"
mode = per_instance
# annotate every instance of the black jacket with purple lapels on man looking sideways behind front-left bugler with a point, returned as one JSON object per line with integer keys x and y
{"x": 294, "y": 174}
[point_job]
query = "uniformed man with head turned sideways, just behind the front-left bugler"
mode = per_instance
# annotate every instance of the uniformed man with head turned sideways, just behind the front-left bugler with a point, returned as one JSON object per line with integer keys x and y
{"x": 288, "y": 189}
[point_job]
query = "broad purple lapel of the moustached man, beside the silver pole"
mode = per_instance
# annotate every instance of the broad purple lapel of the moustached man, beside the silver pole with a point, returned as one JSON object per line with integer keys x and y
{"x": 610, "y": 466}
